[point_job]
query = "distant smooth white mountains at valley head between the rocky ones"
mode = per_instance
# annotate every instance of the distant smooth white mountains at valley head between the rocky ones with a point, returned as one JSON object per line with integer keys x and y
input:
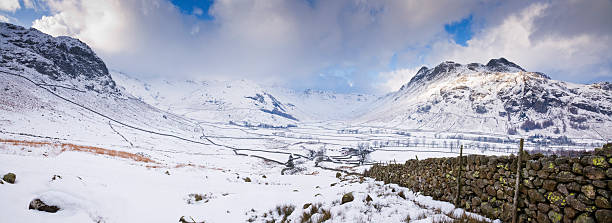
{"x": 243, "y": 102}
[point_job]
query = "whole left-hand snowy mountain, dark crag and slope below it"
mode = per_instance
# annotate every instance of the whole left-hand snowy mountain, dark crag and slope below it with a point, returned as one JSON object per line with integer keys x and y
{"x": 57, "y": 87}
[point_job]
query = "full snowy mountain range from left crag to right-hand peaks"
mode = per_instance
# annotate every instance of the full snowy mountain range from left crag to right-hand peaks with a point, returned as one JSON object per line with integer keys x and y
{"x": 497, "y": 98}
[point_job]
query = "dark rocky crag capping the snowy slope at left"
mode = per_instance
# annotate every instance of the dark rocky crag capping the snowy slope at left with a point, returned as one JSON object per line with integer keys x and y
{"x": 62, "y": 59}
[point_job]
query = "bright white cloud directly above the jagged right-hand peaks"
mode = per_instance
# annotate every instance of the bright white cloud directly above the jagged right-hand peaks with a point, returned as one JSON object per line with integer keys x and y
{"x": 577, "y": 57}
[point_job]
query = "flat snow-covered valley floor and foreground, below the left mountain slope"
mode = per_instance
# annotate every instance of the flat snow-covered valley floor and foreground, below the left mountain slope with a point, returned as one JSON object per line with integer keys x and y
{"x": 115, "y": 182}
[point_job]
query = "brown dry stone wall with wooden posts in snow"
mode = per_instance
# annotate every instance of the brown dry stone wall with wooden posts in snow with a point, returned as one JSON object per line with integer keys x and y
{"x": 552, "y": 189}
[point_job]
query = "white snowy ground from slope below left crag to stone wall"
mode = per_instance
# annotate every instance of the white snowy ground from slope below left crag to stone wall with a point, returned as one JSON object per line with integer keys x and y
{"x": 113, "y": 158}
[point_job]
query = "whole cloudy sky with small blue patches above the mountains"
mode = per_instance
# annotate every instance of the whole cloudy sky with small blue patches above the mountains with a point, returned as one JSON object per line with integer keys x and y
{"x": 341, "y": 45}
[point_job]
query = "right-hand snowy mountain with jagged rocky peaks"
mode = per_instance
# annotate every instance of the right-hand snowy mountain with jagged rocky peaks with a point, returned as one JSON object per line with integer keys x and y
{"x": 497, "y": 98}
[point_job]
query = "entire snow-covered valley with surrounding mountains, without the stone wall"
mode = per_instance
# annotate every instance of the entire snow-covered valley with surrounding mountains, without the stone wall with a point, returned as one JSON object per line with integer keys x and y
{"x": 106, "y": 147}
